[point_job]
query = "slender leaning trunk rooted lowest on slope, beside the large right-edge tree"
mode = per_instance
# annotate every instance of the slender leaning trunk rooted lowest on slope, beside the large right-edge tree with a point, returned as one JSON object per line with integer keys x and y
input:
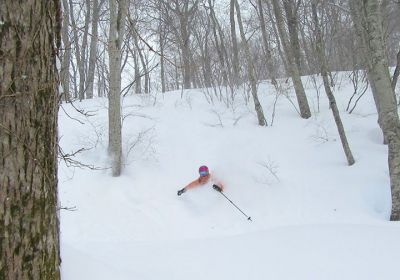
{"x": 325, "y": 78}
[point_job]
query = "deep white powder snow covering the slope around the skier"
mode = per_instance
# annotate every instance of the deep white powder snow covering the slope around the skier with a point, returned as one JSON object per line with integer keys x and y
{"x": 314, "y": 217}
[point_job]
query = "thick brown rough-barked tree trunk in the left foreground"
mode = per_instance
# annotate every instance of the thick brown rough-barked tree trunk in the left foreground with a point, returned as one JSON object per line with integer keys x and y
{"x": 29, "y": 99}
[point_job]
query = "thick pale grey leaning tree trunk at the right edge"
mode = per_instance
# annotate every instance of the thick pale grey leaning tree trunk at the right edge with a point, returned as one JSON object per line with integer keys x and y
{"x": 369, "y": 24}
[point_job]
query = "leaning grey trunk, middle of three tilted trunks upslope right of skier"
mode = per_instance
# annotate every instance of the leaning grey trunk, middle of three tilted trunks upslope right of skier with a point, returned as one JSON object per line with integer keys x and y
{"x": 291, "y": 65}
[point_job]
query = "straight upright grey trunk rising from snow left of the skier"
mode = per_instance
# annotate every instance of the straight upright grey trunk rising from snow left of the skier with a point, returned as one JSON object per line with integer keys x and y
{"x": 117, "y": 29}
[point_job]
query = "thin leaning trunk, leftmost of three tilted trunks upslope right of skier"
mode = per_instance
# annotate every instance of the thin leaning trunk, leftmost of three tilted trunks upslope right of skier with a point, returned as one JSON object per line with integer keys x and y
{"x": 250, "y": 71}
